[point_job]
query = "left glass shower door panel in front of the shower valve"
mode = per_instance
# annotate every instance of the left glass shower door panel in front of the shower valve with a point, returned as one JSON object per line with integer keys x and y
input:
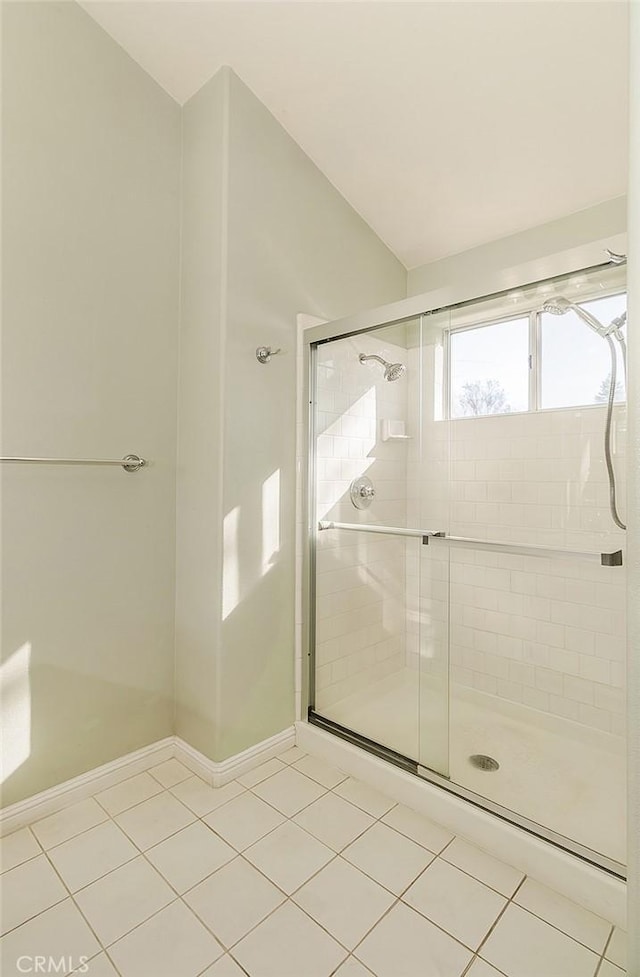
{"x": 366, "y": 428}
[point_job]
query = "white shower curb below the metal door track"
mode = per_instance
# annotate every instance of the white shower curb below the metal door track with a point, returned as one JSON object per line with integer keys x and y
{"x": 567, "y": 874}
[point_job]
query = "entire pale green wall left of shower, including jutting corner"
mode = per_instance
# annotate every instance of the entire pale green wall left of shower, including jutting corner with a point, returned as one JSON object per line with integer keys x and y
{"x": 92, "y": 238}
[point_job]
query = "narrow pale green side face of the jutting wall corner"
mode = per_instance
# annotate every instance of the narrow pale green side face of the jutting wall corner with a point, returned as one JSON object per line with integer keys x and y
{"x": 200, "y": 412}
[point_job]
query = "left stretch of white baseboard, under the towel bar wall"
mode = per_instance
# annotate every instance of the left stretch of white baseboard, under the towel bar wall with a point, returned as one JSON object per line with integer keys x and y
{"x": 63, "y": 795}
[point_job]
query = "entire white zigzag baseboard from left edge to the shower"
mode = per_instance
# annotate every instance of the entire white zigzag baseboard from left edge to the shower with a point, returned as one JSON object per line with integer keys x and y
{"x": 100, "y": 778}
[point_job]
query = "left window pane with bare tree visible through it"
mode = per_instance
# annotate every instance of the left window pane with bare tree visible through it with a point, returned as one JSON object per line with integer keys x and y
{"x": 489, "y": 369}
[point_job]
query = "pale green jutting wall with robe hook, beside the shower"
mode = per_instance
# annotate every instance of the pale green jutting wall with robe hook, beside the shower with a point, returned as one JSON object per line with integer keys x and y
{"x": 294, "y": 245}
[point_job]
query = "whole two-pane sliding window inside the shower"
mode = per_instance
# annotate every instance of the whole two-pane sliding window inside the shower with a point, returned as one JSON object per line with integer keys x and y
{"x": 533, "y": 361}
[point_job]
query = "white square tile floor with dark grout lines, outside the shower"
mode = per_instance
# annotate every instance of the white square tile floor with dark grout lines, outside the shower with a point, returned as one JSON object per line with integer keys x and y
{"x": 293, "y": 870}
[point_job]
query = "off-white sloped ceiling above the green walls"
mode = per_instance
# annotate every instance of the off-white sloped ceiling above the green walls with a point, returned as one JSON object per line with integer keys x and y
{"x": 444, "y": 124}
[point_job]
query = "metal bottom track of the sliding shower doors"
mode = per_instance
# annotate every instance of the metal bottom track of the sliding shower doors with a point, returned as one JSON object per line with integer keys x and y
{"x": 603, "y": 862}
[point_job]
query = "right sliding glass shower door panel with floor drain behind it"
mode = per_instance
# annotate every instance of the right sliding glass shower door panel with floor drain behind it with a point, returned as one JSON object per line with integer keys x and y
{"x": 538, "y": 643}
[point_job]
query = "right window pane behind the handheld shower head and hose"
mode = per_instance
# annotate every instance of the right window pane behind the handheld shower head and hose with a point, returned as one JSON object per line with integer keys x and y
{"x": 575, "y": 367}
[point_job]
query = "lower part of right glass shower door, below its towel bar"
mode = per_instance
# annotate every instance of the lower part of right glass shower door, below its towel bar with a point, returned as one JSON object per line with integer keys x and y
{"x": 537, "y": 706}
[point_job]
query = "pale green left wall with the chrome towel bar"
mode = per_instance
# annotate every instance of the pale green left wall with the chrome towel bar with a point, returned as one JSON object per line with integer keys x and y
{"x": 91, "y": 156}
